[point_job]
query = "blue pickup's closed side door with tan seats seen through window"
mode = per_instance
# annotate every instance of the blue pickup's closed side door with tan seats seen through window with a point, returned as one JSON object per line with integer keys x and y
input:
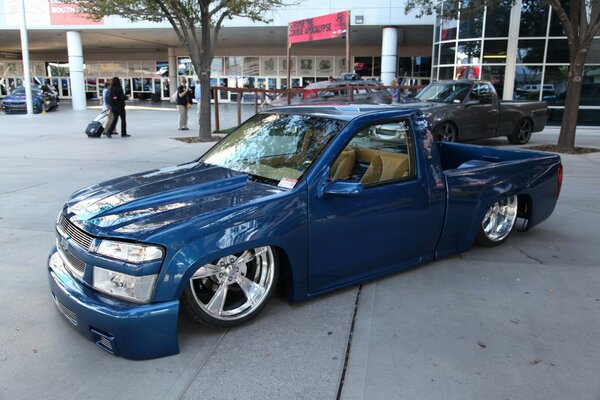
{"x": 382, "y": 227}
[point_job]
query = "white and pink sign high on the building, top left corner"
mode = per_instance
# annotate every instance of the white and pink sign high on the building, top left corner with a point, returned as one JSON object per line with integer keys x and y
{"x": 45, "y": 13}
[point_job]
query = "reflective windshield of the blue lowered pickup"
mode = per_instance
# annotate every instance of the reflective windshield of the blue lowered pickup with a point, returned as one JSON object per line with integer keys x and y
{"x": 275, "y": 147}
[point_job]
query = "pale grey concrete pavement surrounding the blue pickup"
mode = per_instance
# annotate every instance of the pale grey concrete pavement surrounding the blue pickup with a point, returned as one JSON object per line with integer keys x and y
{"x": 520, "y": 321}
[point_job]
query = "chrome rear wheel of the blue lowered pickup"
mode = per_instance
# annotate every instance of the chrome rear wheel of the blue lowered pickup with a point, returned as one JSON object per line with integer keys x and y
{"x": 498, "y": 222}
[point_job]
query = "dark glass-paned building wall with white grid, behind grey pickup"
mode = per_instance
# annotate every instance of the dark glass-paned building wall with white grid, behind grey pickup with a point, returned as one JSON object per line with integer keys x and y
{"x": 522, "y": 49}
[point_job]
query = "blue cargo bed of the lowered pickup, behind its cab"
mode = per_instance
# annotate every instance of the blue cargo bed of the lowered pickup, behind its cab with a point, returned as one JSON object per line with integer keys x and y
{"x": 476, "y": 177}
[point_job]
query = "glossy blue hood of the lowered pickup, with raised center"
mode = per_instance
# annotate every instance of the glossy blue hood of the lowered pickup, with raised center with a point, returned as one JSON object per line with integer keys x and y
{"x": 135, "y": 206}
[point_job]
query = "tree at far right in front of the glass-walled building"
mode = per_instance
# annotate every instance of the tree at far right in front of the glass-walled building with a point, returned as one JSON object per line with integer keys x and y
{"x": 580, "y": 20}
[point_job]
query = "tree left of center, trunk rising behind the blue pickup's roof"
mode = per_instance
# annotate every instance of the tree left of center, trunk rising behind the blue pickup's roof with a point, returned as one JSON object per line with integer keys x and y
{"x": 197, "y": 24}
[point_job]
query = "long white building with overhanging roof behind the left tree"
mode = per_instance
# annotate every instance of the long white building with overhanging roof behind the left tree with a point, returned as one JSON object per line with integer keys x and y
{"x": 248, "y": 54}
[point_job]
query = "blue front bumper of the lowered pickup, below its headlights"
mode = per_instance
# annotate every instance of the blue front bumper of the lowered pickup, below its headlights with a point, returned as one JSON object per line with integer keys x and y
{"x": 137, "y": 332}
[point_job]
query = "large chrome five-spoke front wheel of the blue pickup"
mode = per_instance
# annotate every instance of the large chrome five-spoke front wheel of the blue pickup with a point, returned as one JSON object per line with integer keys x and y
{"x": 233, "y": 289}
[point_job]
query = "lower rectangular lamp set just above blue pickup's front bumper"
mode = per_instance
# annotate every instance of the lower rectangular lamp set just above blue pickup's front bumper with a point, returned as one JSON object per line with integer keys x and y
{"x": 134, "y": 288}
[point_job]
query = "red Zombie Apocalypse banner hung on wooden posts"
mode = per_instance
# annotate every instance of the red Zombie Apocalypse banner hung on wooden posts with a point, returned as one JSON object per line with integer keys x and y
{"x": 318, "y": 28}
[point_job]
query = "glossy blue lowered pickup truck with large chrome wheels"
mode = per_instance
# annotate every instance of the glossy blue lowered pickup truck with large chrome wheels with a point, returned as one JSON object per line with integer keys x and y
{"x": 317, "y": 198}
